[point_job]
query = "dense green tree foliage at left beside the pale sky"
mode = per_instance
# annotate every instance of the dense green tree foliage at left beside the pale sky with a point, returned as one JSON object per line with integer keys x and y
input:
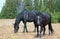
{"x": 9, "y": 10}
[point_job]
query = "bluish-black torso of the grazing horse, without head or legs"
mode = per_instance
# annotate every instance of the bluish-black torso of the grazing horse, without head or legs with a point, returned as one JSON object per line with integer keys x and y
{"x": 28, "y": 16}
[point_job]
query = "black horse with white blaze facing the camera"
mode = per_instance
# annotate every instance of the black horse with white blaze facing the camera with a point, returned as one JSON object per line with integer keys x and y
{"x": 43, "y": 19}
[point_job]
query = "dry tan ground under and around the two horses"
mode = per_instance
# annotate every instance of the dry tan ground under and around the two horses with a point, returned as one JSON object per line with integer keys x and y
{"x": 7, "y": 31}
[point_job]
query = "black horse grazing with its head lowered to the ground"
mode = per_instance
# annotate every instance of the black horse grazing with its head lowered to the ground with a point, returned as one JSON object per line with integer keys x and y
{"x": 25, "y": 16}
